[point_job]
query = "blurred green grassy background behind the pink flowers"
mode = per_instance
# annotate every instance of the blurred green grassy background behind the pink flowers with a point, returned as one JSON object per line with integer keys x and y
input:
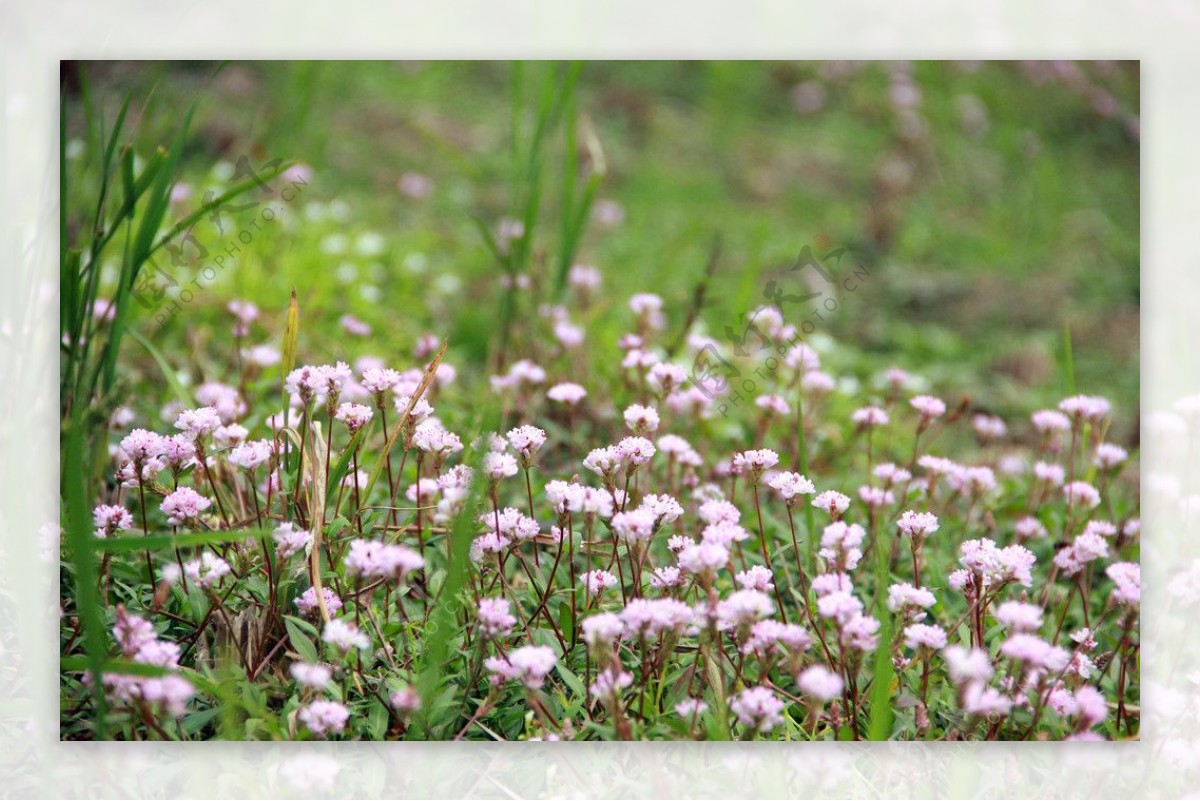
{"x": 993, "y": 204}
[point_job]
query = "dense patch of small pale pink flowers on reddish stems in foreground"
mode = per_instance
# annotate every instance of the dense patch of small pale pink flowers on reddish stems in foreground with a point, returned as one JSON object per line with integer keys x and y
{"x": 649, "y": 550}
